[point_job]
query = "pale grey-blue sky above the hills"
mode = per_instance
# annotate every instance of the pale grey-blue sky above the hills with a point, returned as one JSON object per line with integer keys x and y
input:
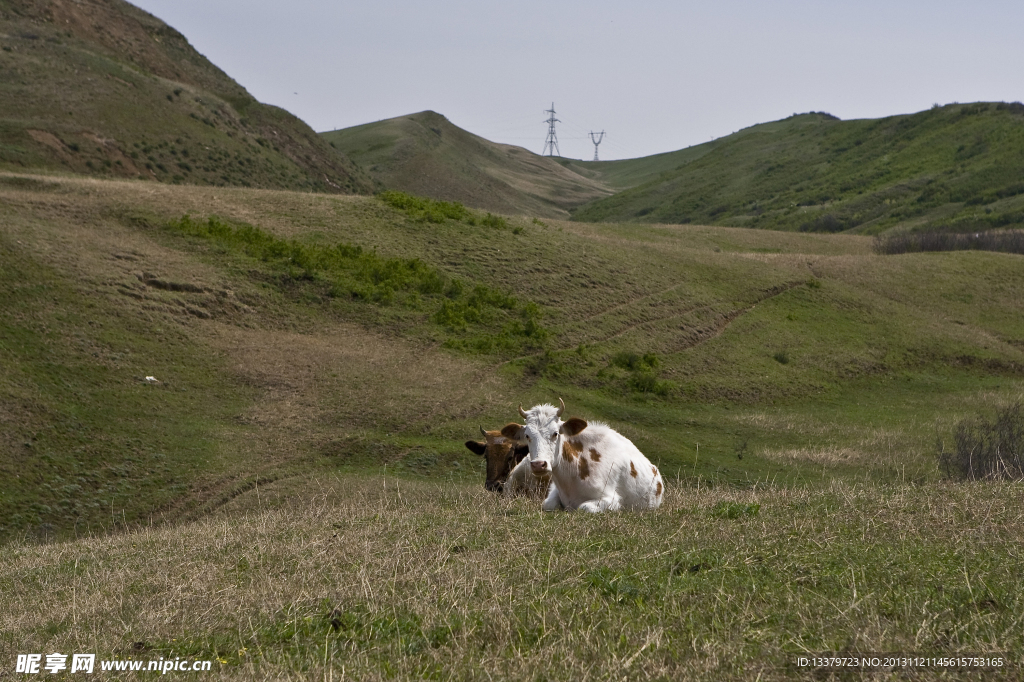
{"x": 657, "y": 76}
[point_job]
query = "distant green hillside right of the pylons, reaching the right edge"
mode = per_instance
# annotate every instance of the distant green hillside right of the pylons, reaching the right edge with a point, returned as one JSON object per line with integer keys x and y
{"x": 958, "y": 166}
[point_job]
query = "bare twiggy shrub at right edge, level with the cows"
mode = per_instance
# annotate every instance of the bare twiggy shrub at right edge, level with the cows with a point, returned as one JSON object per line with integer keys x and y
{"x": 987, "y": 450}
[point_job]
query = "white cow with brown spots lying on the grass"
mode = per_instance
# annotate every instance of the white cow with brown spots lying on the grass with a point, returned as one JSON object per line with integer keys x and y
{"x": 592, "y": 466}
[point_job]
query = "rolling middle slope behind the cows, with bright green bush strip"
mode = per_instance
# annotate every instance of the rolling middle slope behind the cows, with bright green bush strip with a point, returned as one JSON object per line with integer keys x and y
{"x": 291, "y": 334}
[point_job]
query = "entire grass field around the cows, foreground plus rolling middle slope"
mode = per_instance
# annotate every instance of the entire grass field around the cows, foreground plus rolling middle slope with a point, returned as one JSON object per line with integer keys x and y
{"x": 321, "y": 361}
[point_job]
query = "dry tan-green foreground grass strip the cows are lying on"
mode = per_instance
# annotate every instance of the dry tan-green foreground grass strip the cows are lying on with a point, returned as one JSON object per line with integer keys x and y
{"x": 380, "y": 579}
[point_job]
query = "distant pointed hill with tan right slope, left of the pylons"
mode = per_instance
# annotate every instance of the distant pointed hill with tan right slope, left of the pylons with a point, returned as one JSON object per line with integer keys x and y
{"x": 426, "y": 155}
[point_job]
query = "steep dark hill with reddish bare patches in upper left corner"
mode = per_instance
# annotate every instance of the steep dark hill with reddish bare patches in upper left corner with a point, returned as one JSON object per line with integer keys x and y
{"x": 103, "y": 89}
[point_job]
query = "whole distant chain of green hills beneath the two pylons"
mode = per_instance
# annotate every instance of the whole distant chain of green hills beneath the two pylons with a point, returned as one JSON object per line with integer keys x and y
{"x": 958, "y": 167}
